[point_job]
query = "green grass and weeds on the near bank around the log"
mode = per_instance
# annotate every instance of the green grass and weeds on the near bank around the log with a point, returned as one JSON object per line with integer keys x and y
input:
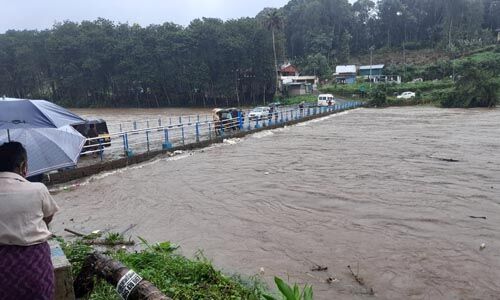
{"x": 175, "y": 275}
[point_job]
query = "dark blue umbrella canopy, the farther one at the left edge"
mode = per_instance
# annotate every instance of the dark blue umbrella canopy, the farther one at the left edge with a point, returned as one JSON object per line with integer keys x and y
{"x": 22, "y": 113}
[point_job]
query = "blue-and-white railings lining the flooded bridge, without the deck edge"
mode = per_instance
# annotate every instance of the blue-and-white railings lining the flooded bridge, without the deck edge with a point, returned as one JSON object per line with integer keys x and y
{"x": 166, "y": 136}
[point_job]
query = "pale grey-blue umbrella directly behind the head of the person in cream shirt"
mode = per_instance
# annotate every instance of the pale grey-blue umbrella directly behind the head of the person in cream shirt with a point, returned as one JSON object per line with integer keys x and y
{"x": 47, "y": 148}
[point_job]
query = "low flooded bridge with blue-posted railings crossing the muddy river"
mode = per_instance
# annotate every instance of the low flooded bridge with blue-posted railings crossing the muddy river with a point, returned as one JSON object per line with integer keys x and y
{"x": 136, "y": 145}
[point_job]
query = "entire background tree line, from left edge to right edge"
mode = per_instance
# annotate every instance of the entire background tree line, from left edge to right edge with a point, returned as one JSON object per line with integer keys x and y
{"x": 214, "y": 63}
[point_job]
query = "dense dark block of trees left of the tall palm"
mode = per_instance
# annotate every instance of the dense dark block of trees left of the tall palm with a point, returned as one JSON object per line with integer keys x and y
{"x": 104, "y": 64}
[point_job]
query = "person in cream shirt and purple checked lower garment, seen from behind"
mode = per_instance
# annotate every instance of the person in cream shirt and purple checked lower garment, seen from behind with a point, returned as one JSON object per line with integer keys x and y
{"x": 26, "y": 209}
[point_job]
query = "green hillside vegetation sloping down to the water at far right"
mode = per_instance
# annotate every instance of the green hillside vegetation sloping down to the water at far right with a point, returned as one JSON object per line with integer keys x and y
{"x": 470, "y": 80}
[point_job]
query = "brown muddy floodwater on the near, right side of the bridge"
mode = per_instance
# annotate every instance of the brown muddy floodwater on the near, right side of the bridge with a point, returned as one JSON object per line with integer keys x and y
{"x": 389, "y": 192}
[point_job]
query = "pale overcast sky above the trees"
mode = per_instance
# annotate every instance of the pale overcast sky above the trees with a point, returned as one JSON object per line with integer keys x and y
{"x": 41, "y": 14}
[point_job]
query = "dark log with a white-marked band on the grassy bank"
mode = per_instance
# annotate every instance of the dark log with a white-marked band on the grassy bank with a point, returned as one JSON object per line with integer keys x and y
{"x": 129, "y": 285}
